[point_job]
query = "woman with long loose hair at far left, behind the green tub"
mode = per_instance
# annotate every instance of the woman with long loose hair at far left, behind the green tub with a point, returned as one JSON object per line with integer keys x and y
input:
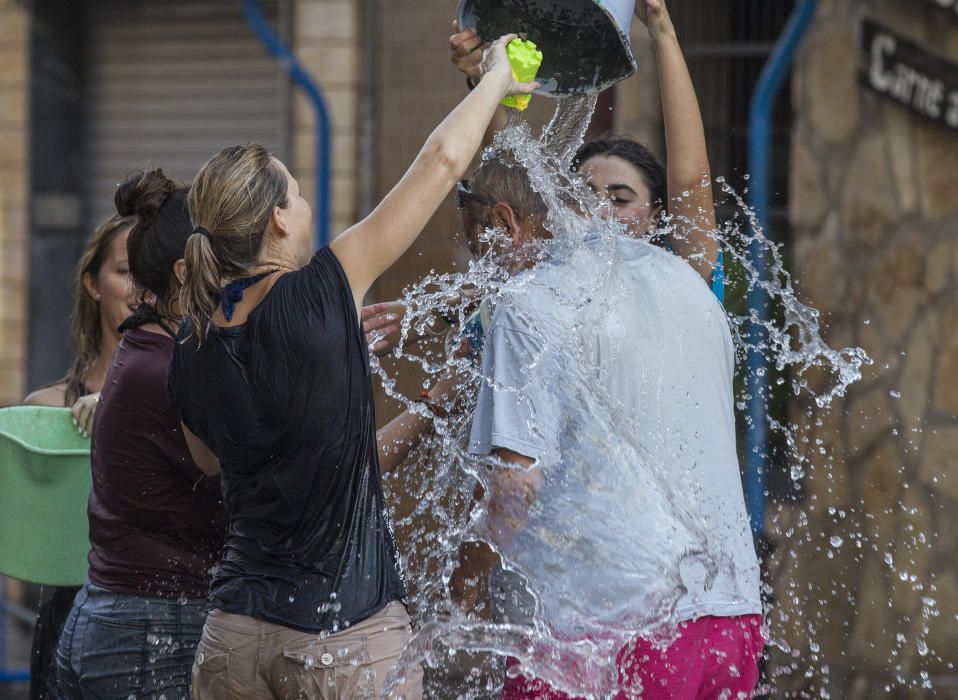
{"x": 103, "y": 298}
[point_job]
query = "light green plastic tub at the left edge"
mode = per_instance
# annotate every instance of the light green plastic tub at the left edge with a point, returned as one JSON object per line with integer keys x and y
{"x": 44, "y": 487}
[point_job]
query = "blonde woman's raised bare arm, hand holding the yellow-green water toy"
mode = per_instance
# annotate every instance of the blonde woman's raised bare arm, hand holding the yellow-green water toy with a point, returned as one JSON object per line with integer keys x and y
{"x": 370, "y": 247}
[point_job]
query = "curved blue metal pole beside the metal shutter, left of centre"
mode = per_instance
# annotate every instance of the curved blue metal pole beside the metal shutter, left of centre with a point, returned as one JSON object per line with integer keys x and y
{"x": 323, "y": 146}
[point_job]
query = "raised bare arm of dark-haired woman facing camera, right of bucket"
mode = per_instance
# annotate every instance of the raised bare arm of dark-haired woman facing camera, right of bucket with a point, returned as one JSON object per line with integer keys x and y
{"x": 687, "y": 165}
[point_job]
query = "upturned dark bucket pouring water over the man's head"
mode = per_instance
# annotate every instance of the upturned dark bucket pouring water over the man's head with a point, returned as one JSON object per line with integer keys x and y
{"x": 585, "y": 44}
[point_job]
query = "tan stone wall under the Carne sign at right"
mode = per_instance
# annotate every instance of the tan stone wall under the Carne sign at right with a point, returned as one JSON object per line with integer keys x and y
{"x": 866, "y": 575}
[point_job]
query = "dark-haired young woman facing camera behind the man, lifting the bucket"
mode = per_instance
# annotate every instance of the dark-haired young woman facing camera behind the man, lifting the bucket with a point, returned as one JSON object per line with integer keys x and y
{"x": 640, "y": 190}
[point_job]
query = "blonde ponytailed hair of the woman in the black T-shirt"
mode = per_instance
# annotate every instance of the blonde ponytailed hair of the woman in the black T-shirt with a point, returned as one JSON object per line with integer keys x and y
{"x": 232, "y": 198}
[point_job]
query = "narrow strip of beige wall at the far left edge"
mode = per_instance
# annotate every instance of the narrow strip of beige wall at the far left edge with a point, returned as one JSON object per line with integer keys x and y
{"x": 14, "y": 185}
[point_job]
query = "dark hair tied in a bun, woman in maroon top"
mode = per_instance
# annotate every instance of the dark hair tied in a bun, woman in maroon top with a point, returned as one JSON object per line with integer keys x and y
{"x": 157, "y": 240}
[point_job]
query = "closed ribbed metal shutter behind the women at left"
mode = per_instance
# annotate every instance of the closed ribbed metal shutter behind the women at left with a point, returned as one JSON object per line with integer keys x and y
{"x": 171, "y": 82}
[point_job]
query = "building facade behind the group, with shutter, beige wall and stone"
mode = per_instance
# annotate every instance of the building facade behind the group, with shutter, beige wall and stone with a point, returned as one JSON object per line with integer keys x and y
{"x": 865, "y": 201}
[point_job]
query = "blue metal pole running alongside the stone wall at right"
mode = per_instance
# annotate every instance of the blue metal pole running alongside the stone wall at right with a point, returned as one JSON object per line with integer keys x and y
{"x": 759, "y": 154}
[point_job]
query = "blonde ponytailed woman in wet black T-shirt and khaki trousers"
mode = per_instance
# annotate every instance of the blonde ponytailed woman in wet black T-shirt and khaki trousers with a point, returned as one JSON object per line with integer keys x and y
{"x": 273, "y": 385}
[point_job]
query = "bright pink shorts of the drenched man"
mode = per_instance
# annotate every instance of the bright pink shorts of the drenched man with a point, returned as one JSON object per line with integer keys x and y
{"x": 713, "y": 657}
